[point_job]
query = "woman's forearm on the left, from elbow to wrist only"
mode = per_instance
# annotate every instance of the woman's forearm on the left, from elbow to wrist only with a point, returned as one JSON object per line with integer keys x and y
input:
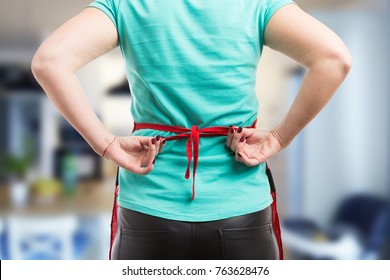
{"x": 65, "y": 91}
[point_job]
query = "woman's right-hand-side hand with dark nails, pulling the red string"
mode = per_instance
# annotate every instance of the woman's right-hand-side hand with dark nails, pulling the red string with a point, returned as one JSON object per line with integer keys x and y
{"x": 253, "y": 146}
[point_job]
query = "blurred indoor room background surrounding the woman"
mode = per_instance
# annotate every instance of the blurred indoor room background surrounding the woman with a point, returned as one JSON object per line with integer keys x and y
{"x": 333, "y": 181}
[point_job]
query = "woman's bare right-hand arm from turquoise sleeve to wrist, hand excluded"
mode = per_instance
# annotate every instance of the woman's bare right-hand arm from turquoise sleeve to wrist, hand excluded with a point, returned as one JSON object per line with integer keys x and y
{"x": 309, "y": 42}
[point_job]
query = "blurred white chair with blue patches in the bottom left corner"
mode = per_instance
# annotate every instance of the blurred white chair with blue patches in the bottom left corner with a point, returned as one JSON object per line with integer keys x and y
{"x": 41, "y": 238}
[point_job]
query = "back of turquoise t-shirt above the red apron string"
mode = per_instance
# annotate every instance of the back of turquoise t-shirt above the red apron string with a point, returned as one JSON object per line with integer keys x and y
{"x": 191, "y": 62}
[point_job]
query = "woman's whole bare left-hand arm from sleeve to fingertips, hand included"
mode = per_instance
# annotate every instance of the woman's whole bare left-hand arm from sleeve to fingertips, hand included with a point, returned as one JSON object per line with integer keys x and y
{"x": 83, "y": 38}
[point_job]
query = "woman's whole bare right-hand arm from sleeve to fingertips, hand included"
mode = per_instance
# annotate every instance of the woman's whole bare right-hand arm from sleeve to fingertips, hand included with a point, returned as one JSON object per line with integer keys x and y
{"x": 298, "y": 35}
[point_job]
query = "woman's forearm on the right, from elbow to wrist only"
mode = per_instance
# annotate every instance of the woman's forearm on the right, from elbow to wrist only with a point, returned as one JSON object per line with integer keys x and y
{"x": 318, "y": 86}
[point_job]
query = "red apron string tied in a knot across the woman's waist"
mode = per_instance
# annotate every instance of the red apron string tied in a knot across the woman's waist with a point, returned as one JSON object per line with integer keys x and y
{"x": 192, "y": 145}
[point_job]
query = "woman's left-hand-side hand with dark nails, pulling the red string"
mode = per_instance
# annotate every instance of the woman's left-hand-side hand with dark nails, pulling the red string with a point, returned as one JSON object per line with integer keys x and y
{"x": 136, "y": 154}
